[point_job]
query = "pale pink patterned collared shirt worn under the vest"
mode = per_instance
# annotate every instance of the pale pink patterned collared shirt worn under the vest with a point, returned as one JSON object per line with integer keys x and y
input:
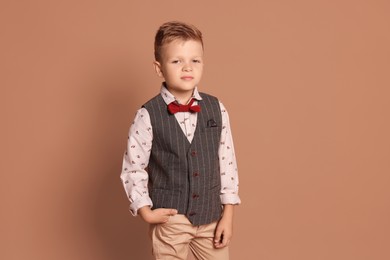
{"x": 139, "y": 144}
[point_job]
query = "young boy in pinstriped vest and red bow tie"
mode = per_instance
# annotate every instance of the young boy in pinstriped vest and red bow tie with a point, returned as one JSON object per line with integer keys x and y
{"x": 179, "y": 169}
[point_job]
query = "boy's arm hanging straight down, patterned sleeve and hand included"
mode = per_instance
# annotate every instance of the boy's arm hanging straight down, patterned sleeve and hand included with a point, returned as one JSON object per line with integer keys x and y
{"x": 229, "y": 183}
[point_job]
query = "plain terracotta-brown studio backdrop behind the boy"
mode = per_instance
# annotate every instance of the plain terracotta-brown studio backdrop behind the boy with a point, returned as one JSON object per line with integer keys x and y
{"x": 307, "y": 87}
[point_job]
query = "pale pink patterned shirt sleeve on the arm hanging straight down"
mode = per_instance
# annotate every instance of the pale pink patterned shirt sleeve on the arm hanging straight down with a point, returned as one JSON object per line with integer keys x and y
{"x": 228, "y": 164}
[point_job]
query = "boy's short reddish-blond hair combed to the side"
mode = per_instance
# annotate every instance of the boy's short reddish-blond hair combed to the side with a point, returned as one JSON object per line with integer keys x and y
{"x": 174, "y": 30}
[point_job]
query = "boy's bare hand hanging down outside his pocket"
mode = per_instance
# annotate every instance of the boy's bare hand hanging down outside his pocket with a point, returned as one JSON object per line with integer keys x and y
{"x": 224, "y": 230}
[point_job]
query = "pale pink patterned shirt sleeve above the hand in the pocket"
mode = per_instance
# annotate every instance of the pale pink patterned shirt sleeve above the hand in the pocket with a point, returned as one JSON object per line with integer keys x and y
{"x": 136, "y": 157}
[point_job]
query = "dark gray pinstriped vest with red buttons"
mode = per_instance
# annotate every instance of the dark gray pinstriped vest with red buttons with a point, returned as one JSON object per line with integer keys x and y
{"x": 183, "y": 175}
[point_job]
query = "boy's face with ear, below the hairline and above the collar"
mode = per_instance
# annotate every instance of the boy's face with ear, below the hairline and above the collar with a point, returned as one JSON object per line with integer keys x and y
{"x": 181, "y": 66}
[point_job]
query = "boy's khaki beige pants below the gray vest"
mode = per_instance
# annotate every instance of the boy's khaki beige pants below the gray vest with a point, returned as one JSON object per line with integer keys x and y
{"x": 173, "y": 239}
